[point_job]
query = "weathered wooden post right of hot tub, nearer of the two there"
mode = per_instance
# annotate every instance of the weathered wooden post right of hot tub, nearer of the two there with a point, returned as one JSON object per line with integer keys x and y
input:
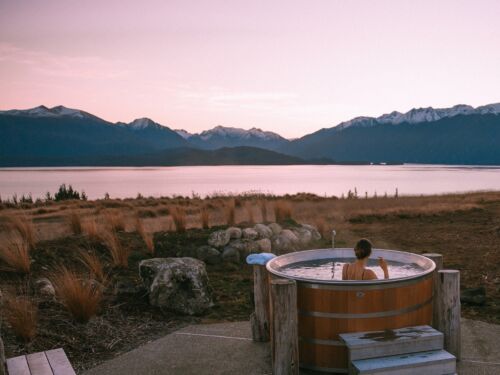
{"x": 448, "y": 314}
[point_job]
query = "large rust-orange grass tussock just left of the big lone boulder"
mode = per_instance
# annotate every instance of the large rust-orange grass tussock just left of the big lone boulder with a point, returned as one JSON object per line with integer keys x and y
{"x": 79, "y": 294}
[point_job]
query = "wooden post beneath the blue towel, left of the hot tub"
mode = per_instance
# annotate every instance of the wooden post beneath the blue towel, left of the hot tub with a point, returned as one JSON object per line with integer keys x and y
{"x": 259, "y": 320}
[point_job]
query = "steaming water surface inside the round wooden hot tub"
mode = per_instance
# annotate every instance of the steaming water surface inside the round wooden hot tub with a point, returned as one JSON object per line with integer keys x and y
{"x": 331, "y": 269}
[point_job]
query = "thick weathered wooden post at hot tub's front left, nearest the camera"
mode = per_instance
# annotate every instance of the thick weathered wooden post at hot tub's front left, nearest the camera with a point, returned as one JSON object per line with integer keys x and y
{"x": 284, "y": 329}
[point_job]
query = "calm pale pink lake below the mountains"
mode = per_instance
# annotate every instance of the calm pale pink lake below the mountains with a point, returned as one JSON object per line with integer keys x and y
{"x": 318, "y": 179}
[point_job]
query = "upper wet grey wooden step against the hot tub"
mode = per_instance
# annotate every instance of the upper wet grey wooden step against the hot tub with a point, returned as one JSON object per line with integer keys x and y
{"x": 364, "y": 345}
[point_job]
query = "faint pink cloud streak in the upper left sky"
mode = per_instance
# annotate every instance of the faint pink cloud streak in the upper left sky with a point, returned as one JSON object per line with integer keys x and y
{"x": 49, "y": 64}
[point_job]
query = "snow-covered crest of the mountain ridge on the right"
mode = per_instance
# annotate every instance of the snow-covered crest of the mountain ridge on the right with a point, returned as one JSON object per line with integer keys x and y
{"x": 419, "y": 115}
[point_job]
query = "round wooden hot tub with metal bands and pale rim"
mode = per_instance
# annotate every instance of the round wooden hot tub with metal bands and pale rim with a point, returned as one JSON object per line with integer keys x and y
{"x": 327, "y": 308}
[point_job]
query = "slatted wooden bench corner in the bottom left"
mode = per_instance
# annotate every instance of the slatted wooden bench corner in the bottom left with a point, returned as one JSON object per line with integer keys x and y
{"x": 52, "y": 362}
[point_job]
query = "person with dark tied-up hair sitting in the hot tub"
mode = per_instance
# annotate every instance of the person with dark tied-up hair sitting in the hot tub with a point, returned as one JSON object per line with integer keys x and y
{"x": 358, "y": 270}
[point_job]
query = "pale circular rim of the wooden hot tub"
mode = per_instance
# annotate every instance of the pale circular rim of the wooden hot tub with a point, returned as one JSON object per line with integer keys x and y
{"x": 318, "y": 283}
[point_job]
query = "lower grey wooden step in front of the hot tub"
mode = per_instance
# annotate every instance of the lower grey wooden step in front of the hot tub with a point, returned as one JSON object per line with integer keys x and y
{"x": 436, "y": 362}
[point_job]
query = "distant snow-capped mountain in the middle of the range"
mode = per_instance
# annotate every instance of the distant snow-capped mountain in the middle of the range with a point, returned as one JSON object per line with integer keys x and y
{"x": 222, "y": 136}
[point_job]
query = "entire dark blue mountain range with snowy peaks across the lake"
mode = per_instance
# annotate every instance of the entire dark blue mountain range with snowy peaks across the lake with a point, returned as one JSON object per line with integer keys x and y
{"x": 63, "y": 136}
